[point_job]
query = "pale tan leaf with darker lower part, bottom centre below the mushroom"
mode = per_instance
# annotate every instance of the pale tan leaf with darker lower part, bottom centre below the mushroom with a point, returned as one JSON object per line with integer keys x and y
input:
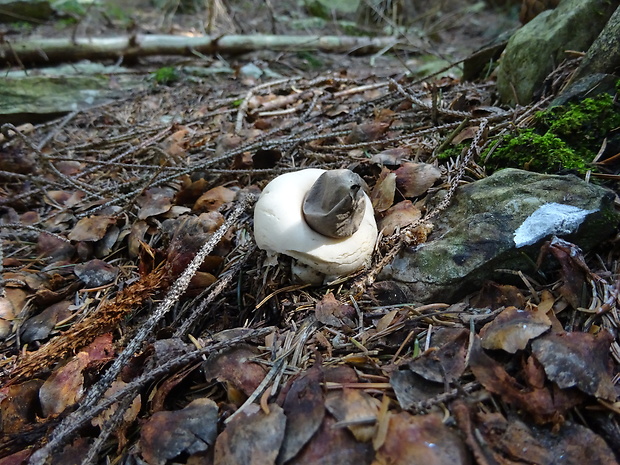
{"x": 355, "y": 407}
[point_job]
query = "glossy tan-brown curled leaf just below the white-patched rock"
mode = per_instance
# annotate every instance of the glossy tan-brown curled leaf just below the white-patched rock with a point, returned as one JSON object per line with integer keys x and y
{"x": 513, "y": 328}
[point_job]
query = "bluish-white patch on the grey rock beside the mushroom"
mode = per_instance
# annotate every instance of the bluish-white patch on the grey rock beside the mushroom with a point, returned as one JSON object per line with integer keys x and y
{"x": 549, "y": 219}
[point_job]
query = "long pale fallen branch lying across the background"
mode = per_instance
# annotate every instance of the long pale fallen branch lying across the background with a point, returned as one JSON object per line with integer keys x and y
{"x": 40, "y": 51}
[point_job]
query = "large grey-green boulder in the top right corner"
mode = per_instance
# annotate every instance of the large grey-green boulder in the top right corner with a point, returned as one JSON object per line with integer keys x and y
{"x": 539, "y": 46}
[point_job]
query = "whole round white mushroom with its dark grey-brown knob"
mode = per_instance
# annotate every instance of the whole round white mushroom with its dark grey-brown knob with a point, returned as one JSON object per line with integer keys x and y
{"x": 342, "y": 232}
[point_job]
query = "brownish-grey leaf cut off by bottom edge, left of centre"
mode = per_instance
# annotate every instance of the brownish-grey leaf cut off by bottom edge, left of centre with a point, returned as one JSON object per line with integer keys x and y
{"x": 253, "y": 437}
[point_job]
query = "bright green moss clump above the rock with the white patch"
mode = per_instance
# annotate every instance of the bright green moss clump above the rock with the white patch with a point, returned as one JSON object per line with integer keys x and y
{"x": 562, "y": 138}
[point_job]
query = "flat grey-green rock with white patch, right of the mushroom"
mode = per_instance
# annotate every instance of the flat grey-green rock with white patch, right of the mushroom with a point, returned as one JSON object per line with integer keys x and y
{"x": 500, "y": 222}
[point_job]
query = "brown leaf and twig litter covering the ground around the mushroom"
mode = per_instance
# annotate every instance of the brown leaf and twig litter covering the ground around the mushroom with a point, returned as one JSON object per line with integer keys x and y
{"x": 140, "y": 323}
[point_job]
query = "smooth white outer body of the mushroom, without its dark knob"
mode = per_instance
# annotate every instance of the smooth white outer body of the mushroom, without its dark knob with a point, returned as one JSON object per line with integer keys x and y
{"x": 279, "y": 226}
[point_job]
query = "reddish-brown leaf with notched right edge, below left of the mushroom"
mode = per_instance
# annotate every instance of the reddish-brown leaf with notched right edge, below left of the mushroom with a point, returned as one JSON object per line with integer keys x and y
{"x": 235, "y": 366}
